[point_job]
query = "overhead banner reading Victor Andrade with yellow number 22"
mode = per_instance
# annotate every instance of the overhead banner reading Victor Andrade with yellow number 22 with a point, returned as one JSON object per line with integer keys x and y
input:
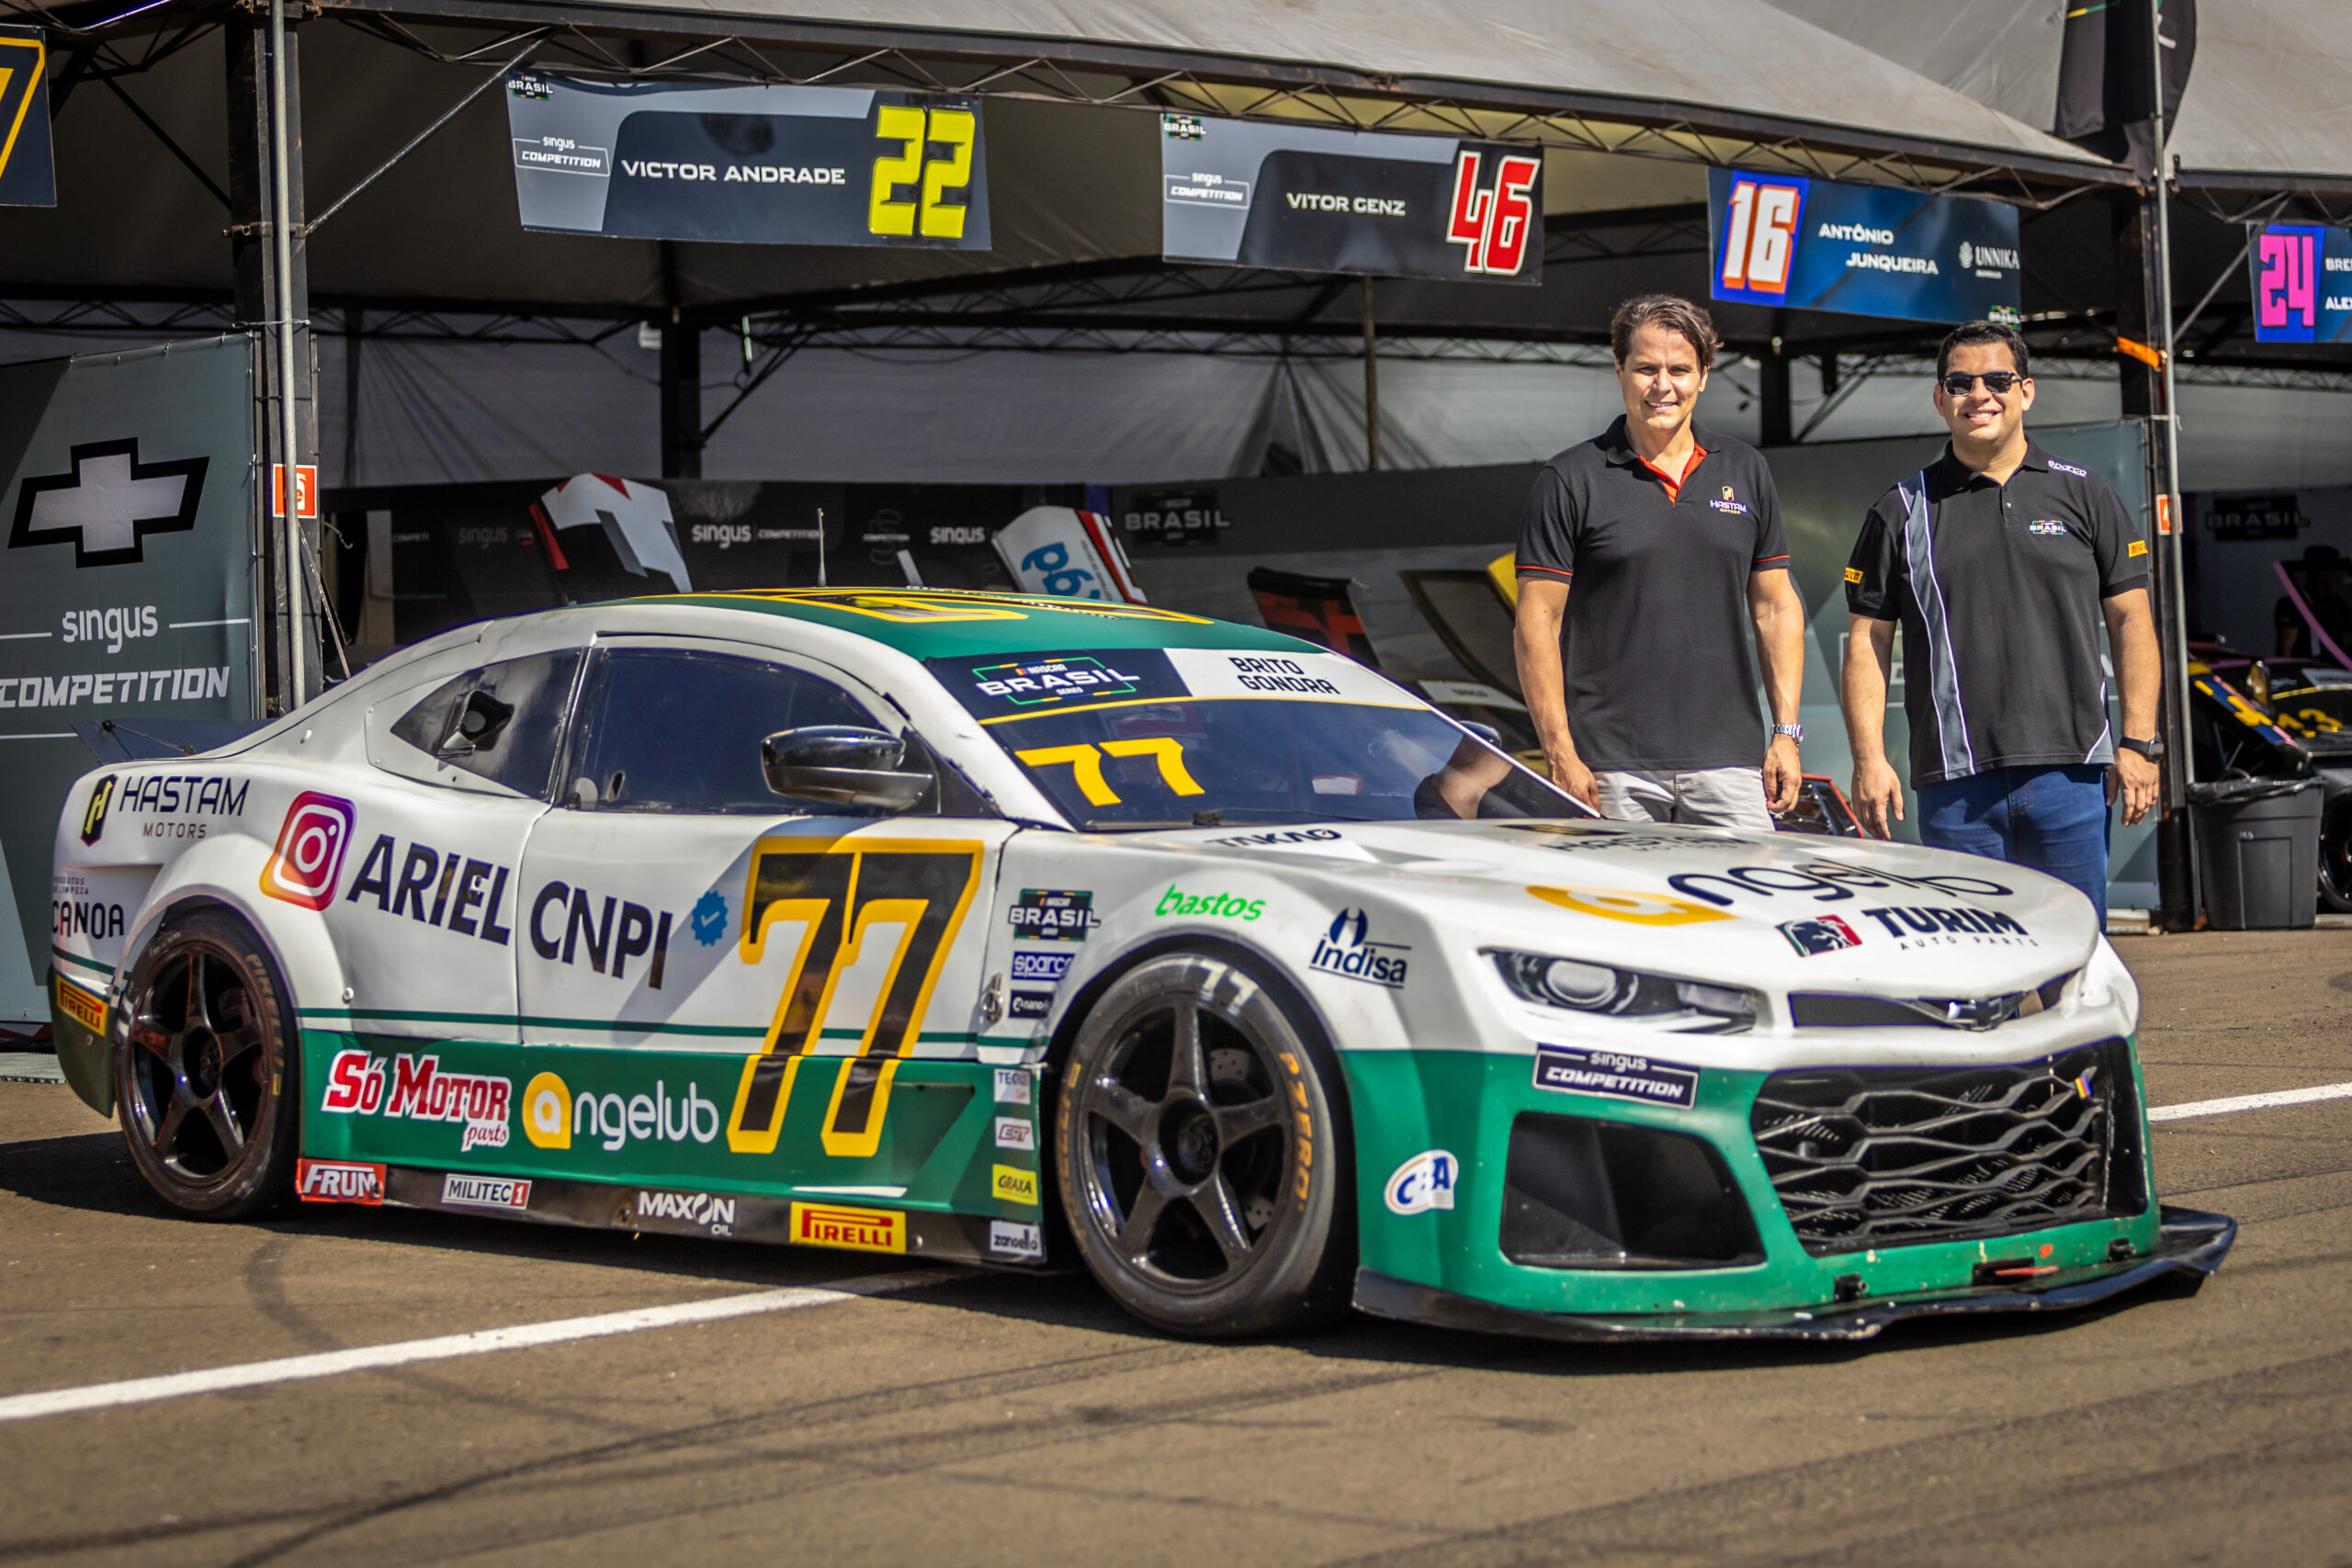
{"x": 763, "y": 166}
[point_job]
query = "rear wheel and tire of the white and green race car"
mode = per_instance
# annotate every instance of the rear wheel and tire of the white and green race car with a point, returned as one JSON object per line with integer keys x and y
{"x": 208, "y": 1071}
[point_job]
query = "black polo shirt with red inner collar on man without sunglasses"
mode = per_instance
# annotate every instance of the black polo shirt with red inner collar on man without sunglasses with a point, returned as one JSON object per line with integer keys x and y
{"x": 1655, "y": 645}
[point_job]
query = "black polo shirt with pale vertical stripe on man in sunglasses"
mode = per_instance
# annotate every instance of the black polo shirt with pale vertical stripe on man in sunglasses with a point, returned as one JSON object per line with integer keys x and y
{"x": 1998, "y": 589}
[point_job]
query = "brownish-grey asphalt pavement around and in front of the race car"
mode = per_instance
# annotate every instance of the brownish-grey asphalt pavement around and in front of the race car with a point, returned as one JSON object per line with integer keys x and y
{"x": 989, "y": 1419}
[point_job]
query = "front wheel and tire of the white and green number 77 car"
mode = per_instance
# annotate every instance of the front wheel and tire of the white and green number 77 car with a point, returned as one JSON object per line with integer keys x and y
{"x": 1203, "y": 1151}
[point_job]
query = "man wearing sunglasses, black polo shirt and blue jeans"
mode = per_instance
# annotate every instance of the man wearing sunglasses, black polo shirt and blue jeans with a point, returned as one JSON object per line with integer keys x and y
{"x": 2000, "y": 563}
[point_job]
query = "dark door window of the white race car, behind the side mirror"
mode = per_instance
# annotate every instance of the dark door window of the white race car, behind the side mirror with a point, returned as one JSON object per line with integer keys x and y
{"x": 679, "y": 732}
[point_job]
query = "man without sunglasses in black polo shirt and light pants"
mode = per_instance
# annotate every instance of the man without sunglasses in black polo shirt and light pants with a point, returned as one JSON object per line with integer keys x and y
{"x": 1641, "y": 681}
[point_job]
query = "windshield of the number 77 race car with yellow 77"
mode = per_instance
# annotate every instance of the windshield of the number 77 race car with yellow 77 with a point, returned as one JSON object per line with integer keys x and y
{"x": 1194, "y": 739}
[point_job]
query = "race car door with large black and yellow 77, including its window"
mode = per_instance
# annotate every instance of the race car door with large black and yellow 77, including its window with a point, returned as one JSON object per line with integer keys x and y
{"x": 777, "y": 963}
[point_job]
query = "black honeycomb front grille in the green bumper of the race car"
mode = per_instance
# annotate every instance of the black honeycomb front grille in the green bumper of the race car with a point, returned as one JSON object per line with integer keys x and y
{"x": 1895, "y": 1155}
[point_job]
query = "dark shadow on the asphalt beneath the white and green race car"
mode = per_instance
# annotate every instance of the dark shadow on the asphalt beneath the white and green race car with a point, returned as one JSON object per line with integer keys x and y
{"x": 93, "y": 1174}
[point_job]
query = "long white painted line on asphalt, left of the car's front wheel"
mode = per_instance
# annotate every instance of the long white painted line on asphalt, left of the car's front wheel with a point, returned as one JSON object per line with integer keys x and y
{"x": 521, "y": 1336}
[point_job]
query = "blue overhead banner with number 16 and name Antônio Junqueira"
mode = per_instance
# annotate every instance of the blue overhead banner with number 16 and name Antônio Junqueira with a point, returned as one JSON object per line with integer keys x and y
{"x": 1862, "y": 250}
